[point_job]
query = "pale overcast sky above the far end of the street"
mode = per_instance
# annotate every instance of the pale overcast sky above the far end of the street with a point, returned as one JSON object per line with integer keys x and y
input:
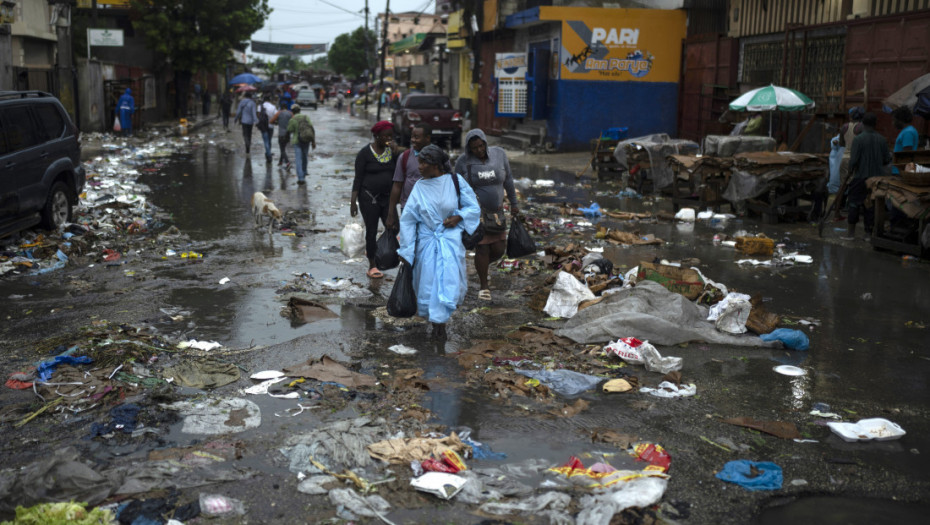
{"x": 321, "y": 21}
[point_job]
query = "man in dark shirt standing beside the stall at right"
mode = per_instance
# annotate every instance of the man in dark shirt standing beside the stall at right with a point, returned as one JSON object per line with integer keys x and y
{"x": 869, "y": 156}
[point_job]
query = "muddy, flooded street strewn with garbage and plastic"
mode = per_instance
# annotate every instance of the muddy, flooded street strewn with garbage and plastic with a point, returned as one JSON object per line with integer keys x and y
{"x": 298, "y": 450}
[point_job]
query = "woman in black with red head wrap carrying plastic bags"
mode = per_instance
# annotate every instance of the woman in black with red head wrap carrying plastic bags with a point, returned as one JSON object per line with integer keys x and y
{"x": 371, "y": 189}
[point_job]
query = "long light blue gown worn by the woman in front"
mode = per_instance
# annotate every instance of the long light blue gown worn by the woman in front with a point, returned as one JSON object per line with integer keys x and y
{"x": 436, "y": 252}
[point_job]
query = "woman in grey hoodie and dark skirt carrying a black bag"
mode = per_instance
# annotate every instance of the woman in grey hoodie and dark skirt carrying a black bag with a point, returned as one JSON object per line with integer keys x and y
{"x": 487, "y": 171}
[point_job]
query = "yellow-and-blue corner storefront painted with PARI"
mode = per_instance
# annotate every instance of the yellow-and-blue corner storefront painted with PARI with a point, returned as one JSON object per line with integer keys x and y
{"x": 590, "y": 69}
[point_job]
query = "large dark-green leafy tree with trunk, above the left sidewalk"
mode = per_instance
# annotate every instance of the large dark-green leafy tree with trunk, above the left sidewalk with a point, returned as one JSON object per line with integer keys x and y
{"x": 196, "y": 35}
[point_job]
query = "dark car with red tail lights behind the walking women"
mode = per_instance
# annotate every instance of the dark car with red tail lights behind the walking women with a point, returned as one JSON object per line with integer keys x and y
{"x": 435, "y": 110}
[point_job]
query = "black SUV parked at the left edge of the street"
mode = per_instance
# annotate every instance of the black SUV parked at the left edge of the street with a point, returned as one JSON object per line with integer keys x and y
{"x": 40, "y": 162}
